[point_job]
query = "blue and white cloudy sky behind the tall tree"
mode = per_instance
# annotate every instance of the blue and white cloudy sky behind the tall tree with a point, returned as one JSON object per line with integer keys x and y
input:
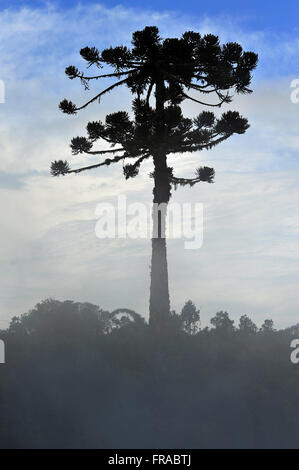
{"x": 249, "y": 260}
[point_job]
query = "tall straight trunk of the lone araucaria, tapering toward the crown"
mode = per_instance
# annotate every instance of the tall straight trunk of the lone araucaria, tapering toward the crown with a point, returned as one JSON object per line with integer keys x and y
{"x": 159, "y": 291}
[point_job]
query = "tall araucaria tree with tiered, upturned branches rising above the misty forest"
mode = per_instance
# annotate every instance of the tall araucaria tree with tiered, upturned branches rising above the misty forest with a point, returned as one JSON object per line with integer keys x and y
{"x": 161, "y": 74}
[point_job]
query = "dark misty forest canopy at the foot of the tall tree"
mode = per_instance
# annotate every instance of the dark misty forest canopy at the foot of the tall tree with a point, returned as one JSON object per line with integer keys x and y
{"x": 81, "y": 377}
